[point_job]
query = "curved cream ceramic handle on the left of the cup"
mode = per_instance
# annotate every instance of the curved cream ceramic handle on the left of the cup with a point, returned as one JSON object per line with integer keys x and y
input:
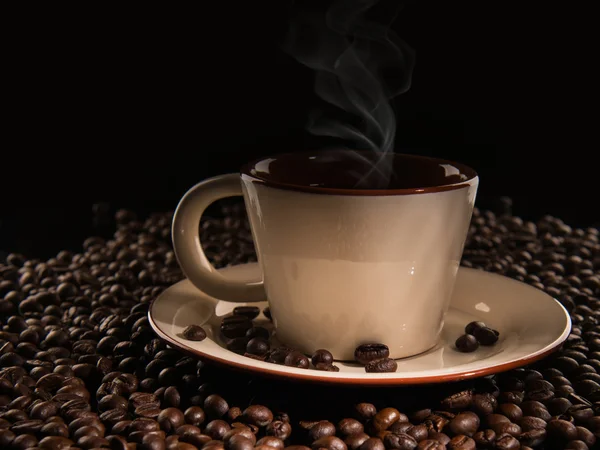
{"x": 188, "y": 248}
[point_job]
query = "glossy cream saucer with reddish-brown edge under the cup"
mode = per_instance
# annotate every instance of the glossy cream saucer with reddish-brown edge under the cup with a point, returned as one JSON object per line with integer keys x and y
{"x": 531, "y": 324}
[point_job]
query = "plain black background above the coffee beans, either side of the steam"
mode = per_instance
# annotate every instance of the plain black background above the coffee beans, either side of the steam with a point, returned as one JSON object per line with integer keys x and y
{"x": 133, "y": 106}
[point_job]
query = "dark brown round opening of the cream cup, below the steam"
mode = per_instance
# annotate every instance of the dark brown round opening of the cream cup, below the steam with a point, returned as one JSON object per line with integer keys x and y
{"x": 364, "y": 171}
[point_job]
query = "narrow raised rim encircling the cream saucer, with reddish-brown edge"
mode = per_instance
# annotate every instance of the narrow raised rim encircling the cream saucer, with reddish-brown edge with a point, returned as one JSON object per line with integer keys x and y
{"x": 363, "y": 380}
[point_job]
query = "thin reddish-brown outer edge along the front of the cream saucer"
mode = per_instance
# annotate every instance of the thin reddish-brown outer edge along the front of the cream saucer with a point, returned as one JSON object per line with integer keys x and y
{"x": 460, "y": 376}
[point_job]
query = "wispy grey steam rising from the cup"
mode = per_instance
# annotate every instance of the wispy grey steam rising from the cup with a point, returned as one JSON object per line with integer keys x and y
{"x": 360, "y": 64}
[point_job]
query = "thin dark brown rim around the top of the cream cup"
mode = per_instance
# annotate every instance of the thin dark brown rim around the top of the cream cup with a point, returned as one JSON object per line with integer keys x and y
{"x": 471, "y": 173}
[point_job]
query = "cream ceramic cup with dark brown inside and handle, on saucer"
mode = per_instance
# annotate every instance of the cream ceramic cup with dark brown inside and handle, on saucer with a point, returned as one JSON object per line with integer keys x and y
{"x": 342, "y": 265}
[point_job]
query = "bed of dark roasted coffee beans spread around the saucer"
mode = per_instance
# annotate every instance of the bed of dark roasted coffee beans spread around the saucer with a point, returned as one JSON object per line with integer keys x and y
{"x": 81, "y": 368}
